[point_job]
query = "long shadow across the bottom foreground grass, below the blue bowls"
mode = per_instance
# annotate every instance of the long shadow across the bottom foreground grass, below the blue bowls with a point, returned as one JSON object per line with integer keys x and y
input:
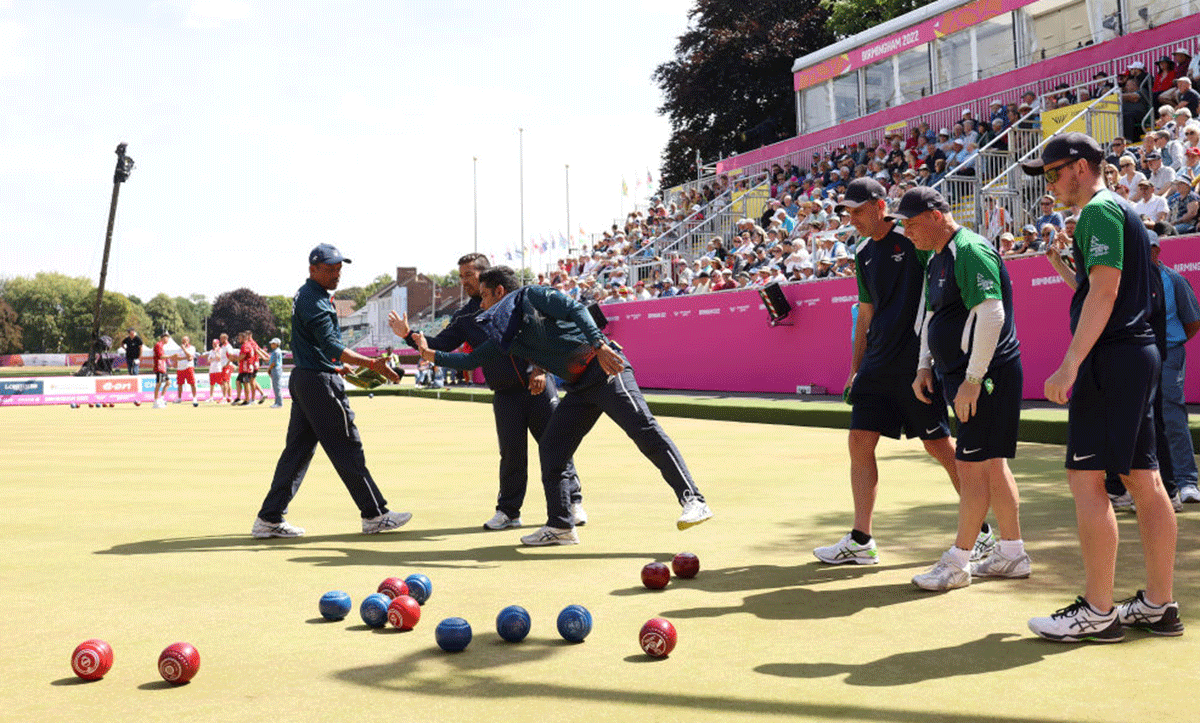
{"x": 433, "y": 673}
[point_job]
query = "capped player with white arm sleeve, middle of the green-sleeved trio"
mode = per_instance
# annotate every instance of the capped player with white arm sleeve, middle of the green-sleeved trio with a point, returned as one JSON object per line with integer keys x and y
{"x": 969, "y": 340}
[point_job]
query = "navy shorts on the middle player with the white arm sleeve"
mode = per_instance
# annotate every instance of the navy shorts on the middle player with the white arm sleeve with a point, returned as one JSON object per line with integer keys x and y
{"x": 992, "y": 432}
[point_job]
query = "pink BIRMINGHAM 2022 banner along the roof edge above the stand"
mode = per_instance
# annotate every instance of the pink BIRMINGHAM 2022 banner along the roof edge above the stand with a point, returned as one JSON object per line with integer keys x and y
{"x": 952, "y": 21}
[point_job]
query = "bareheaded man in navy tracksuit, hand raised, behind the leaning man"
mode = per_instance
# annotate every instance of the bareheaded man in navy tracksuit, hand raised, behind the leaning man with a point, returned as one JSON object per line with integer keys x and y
{"x": 523, "y": 402}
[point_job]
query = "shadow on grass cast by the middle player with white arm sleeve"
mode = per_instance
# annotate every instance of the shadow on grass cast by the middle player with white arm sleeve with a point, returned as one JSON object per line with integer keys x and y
{"x": 801, "y": 604}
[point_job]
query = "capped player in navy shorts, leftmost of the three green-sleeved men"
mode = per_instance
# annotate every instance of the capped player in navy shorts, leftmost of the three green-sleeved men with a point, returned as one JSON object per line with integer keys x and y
{"x": 880, "y": 384}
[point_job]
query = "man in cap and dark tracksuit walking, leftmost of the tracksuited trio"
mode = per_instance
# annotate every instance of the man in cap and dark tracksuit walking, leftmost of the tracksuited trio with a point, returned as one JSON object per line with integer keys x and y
{"x": 320, "y": 409}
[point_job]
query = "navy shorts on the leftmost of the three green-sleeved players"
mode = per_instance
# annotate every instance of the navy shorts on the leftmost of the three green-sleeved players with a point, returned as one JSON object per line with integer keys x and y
{"x": 887, "y": 405}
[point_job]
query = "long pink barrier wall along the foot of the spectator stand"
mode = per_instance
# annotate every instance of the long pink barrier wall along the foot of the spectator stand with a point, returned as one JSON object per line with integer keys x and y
{"x": 724, "y": 342}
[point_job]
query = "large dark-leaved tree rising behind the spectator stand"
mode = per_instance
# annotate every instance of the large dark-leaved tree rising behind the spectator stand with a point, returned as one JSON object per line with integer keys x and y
{"x": 730, "y": 86}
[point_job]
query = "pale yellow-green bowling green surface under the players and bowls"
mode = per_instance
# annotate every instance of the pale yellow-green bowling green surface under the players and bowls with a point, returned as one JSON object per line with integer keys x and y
{"x": 133, "y": 525}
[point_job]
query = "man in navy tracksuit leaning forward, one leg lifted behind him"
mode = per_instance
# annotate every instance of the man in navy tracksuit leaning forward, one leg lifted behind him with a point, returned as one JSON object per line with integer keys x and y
{"x": 556, "y": 333}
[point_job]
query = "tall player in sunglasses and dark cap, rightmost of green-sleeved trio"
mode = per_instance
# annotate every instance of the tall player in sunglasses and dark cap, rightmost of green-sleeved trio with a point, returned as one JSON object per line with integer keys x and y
{"x": 1114, "y": 367}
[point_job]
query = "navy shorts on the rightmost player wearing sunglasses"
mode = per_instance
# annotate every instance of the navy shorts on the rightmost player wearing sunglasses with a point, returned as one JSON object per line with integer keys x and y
{"x": 1112, "y": 411}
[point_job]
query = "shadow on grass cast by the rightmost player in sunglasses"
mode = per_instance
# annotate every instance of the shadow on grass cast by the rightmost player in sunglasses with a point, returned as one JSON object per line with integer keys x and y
{"x": 992, "y": 654}
